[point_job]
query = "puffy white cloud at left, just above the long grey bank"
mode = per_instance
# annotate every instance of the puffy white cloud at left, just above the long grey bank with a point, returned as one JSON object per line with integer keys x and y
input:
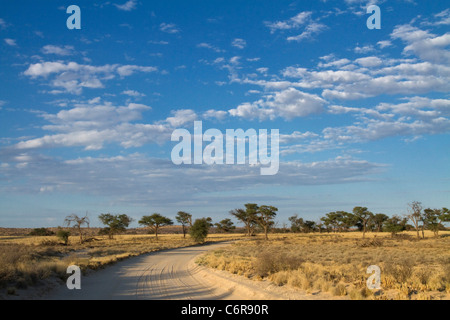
{"x": 94, "y": 126}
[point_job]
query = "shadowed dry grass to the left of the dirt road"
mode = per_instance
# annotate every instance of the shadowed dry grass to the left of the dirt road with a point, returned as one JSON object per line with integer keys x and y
{"x": 25, "y": 260}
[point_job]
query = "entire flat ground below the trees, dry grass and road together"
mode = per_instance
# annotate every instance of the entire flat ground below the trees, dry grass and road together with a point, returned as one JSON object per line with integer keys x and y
{"x": 232, "y": 266}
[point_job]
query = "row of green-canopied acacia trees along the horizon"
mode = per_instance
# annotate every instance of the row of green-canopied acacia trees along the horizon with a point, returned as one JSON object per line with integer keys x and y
{"x": 257, "y": 218}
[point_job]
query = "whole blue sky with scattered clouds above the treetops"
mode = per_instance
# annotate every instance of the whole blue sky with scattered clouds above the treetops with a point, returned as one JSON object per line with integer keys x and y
{"x": 86, "y": 115}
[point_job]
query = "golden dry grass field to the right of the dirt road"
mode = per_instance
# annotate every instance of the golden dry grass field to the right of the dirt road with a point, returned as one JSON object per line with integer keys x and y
{"x": 410, "y": 269}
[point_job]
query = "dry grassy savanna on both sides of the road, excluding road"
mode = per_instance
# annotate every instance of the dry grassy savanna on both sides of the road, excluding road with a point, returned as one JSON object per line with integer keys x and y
{"x": 317, "y": 264}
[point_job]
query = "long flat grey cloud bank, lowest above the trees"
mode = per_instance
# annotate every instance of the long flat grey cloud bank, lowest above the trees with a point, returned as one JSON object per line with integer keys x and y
{"x": 113, "y": 177}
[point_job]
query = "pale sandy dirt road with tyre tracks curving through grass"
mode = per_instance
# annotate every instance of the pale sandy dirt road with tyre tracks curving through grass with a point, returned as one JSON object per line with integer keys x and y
{"x": 167, "y": 275}
